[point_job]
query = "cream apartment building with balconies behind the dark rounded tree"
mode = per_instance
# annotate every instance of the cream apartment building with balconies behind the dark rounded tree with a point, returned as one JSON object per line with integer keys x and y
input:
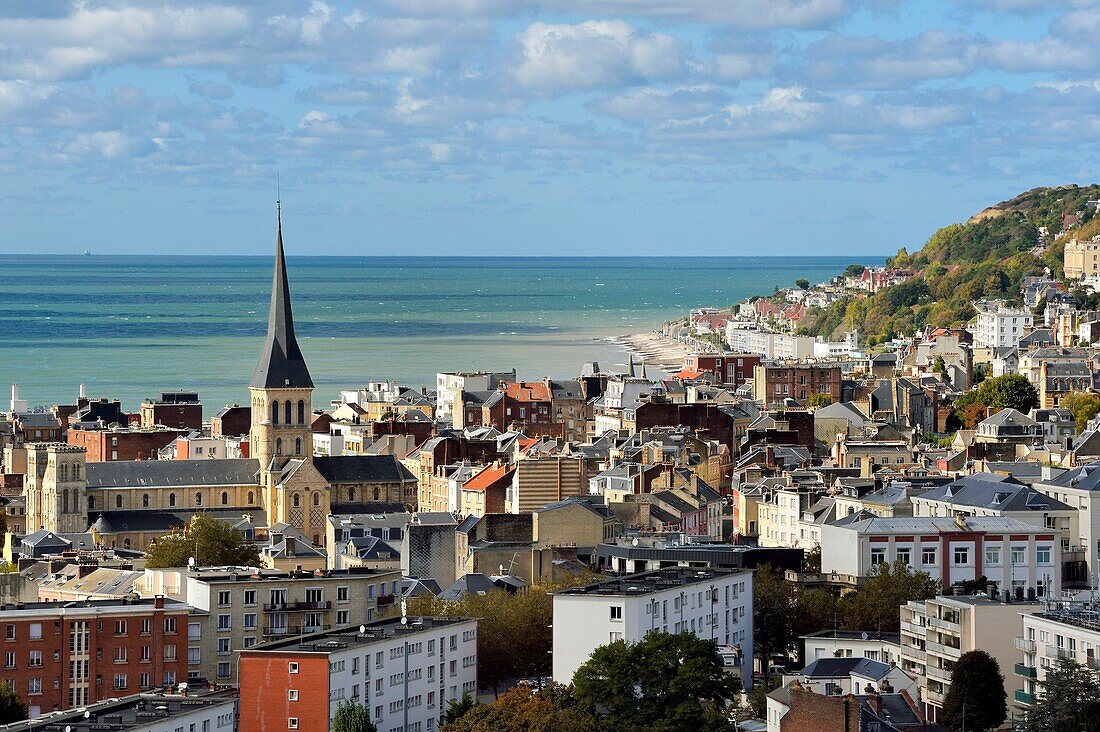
{"x": 936, "y": 633}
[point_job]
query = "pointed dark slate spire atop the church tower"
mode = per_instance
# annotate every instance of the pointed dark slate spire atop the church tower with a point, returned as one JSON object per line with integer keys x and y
{"x": 281, "y": 365}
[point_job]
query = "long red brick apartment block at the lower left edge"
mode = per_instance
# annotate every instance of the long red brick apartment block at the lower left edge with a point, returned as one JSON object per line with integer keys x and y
{"x": 60, "y": 657}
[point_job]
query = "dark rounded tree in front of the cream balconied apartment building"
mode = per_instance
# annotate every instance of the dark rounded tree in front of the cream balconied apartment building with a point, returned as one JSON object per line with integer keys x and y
{"x": 976, "y": 697}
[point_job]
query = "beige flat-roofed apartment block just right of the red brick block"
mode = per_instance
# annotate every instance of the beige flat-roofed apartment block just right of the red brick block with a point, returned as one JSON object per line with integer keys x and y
{"x": 244, "y": 607}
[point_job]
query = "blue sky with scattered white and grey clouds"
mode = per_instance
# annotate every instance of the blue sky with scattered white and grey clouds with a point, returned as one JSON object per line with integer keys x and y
{"x": 534, "y": 127}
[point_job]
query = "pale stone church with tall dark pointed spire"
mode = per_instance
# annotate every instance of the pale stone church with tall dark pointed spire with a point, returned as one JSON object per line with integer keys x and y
{"x": 129, "y": 505}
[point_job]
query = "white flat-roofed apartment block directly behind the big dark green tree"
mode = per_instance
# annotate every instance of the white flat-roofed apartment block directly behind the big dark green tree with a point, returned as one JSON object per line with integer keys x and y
{"x": 712, "y": 604}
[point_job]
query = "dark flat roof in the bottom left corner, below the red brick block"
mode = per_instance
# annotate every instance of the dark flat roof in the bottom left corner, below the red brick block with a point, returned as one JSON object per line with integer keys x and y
{"x": 125, "y": 714}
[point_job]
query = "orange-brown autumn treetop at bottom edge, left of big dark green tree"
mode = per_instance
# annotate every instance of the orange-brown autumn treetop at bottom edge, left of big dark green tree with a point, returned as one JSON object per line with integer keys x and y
{"x": 523, "y": 709}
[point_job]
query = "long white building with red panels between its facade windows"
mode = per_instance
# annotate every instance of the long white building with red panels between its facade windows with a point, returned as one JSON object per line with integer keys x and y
{"x": 1019, "y": 558}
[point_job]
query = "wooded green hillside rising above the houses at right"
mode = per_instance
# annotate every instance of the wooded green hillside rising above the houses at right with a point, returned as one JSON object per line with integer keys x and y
{"x": 986, "y": 257}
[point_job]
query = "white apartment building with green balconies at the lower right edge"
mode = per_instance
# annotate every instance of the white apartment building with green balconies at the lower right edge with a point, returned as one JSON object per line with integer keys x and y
{"x": 1064, "y": 630}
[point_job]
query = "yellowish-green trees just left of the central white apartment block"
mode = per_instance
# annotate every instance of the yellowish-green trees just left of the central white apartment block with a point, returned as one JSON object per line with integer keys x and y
{"x": 514, "y": 638}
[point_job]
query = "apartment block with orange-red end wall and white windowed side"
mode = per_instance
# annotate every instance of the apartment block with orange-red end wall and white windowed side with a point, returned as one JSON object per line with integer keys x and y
{"x": 404, "y": 673}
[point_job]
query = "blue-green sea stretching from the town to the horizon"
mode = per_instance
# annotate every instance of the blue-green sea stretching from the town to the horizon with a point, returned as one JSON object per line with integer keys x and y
{"x": 130, "y": 327}
